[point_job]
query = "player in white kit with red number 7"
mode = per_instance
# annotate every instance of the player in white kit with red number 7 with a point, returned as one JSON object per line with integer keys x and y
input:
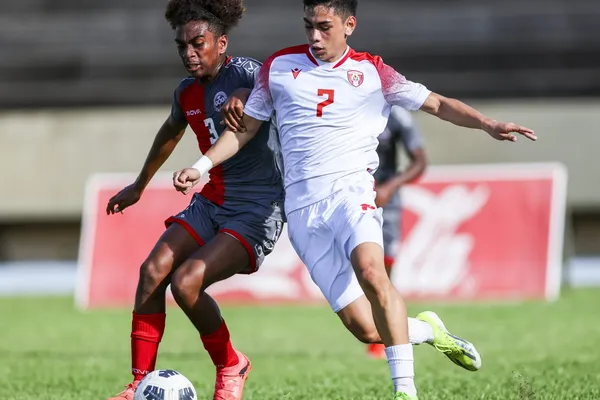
{"x": 331, "y": 104}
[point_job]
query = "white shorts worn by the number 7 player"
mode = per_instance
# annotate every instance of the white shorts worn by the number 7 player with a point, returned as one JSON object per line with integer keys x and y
{"x": 325, "y": 233}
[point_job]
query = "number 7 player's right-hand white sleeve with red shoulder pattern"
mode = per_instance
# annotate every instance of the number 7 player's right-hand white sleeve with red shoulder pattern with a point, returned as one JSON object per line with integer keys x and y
{"x": 399, "y": 91}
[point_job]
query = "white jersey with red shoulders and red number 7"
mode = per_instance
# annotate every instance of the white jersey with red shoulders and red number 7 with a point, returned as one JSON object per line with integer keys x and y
{"x": 328, "y": 114}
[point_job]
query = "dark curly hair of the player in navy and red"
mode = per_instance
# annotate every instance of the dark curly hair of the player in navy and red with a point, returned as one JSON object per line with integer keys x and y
{"x": 221, "y": 15}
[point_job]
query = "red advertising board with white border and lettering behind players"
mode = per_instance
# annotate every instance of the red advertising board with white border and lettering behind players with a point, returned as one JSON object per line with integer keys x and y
{"x": 472, "y": 232}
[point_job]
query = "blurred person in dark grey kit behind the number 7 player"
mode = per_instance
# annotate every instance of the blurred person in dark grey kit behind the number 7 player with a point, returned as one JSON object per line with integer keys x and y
{"x": 400, "y": 131}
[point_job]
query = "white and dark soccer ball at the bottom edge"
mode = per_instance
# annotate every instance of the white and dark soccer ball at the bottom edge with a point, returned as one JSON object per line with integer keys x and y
{"x": 165, "y": 385}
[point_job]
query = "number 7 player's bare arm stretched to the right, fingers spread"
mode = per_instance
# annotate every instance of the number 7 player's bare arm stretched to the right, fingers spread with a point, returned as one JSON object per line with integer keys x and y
{"x": 460, "y": 114}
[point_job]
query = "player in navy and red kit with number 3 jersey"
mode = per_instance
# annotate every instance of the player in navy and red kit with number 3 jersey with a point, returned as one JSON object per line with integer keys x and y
{"x": 230, "y": 226}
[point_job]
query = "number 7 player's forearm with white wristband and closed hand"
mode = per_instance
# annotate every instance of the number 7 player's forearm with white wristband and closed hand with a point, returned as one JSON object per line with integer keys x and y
{"x": 228, "y": 144}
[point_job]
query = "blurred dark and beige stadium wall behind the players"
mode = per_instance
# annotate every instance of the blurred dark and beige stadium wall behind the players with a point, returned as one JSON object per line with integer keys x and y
{"x": 85, "y": 84}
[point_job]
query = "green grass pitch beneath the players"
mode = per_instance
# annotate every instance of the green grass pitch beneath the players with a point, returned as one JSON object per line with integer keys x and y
{"x": 48, "y": 350}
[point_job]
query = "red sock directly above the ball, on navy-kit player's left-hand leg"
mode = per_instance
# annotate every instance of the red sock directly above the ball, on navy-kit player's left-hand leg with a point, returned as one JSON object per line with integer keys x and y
{"x": 146, "y": 333}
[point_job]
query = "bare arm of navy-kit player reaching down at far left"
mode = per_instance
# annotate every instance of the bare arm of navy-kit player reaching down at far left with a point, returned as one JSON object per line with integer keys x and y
{"x": 164, "y": 143}
